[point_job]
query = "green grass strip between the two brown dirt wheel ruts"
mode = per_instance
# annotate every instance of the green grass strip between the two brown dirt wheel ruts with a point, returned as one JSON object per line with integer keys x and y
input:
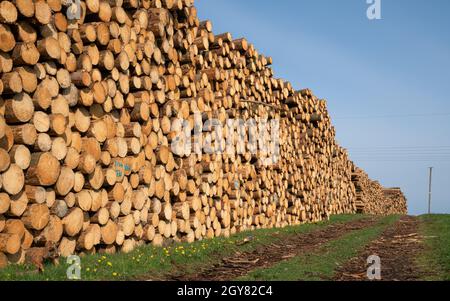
{"x": 321, "y": 264}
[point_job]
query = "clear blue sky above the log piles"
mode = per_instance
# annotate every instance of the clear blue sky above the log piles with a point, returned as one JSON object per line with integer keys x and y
{"x": 387, "y": 82}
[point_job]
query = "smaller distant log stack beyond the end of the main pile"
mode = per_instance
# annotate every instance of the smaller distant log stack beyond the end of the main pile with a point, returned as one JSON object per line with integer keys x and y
{"x": 372, "y": 198}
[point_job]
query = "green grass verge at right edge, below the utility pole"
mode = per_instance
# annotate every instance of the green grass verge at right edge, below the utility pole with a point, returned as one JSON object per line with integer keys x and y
{"x": 435, "y": 260}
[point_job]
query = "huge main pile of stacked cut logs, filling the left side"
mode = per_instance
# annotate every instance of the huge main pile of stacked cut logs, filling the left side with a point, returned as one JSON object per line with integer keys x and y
{"x": 90, "y": 109}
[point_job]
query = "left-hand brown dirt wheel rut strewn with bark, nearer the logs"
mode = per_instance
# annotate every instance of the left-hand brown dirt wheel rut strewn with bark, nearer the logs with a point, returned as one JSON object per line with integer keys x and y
{"x": 242, "y": 263}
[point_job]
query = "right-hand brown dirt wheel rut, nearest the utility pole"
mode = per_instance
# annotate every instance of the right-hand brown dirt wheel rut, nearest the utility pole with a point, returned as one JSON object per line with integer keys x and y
{"x": 397, "y": 248}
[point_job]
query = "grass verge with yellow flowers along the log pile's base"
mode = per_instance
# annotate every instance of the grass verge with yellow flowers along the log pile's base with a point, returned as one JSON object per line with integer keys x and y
{"x": 157, "y": 262}
